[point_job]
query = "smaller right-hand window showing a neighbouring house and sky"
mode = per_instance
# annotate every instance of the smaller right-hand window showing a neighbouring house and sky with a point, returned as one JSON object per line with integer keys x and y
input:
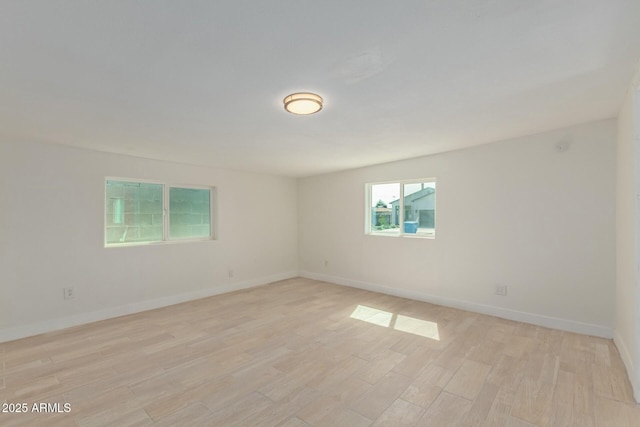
{"x": 406, "y": 208}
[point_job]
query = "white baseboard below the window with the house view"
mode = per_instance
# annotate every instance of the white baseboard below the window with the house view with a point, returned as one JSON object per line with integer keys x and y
{"x": 504, "y": 313}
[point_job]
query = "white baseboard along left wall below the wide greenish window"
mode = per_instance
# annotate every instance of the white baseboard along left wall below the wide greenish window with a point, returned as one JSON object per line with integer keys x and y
{"x": 17, "y": 332}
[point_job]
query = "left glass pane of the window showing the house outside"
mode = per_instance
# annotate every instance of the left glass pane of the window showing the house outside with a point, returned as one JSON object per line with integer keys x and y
{"x": 385, "y": 208}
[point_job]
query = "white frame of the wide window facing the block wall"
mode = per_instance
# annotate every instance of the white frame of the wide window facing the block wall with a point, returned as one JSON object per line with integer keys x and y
{"x": 166, "y": 214}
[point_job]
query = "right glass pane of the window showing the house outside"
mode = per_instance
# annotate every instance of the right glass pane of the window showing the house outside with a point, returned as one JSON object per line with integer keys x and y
{"x": 420, "y": 207}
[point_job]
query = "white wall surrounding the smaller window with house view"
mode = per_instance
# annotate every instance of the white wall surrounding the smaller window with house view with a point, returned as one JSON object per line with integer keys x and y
{"x": 515, "y": 212}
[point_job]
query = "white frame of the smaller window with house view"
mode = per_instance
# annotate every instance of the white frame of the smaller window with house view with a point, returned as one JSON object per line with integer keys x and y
{"x": 401, "y": 209}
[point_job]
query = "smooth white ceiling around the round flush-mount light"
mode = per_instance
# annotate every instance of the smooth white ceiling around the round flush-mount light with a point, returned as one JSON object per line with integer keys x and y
{"x": 202, "y": 82}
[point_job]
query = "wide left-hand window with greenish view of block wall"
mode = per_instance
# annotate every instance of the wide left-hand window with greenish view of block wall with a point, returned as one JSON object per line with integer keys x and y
{"x": 135, "y": 213}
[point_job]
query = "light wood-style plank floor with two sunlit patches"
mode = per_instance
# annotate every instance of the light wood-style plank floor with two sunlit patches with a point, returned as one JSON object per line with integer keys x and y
{"x": 302, "y": 352}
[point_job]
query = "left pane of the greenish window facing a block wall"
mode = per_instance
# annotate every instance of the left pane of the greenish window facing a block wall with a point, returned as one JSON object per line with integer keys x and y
{"x": 134, "y": 212}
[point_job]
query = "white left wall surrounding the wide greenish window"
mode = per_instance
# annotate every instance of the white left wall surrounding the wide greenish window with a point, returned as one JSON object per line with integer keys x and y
{"x": 51, "y": 236}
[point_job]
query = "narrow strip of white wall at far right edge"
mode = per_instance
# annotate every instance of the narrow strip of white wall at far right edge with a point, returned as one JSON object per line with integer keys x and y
{"x": 627, "y": 329}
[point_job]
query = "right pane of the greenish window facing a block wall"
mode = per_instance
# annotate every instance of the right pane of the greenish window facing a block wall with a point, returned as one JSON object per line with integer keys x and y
{"x": 189, "y": 213}
